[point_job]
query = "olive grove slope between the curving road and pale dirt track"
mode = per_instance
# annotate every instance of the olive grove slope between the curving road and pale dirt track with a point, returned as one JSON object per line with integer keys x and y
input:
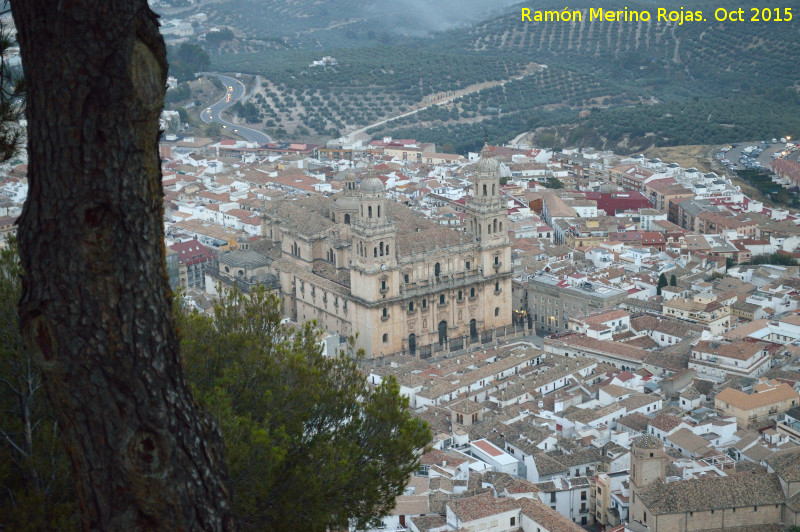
{"x": 365, "y": 86}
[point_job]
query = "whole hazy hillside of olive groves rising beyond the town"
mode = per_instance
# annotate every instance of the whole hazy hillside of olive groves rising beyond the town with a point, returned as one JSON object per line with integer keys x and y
{"x": 619, "y": 85}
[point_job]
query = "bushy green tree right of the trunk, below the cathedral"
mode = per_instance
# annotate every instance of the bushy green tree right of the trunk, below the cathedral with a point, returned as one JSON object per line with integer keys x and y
{"x": 310, "y": 445}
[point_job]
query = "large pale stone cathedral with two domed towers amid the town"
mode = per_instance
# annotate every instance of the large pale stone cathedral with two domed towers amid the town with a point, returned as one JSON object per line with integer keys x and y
{"x": 360, "y": 264}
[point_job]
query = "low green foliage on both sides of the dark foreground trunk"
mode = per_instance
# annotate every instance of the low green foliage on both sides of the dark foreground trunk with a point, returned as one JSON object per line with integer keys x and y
{"x": 309, "y": 445}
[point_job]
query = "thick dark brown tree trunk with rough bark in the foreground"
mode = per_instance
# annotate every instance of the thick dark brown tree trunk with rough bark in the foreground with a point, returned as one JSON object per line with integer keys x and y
{"x": 96, "y": 304}
